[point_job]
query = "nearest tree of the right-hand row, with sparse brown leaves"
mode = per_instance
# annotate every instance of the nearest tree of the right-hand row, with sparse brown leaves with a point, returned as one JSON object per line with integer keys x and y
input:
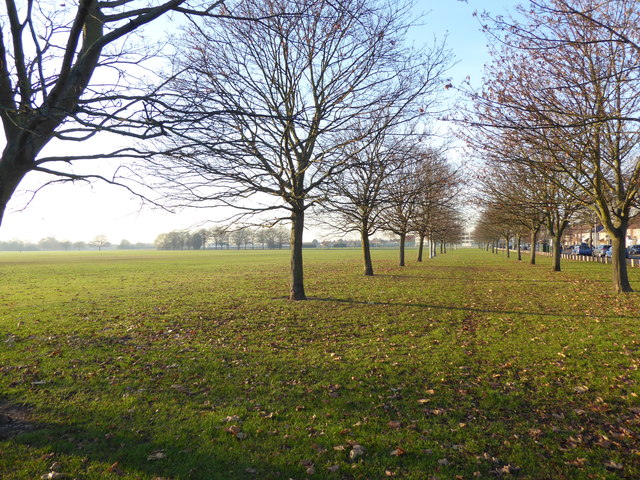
{"x": 566, "y": 80}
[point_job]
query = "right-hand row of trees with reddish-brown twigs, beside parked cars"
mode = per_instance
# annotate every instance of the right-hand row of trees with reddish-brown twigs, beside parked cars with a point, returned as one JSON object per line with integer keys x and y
{"x": 557, "y": 121}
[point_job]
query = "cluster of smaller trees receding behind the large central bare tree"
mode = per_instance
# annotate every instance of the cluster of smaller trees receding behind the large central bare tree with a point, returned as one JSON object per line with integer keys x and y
{"x": 397, "y": 185}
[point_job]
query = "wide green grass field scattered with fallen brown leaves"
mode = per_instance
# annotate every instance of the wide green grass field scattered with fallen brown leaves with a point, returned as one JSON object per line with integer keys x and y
{"x": 193, "y": 365}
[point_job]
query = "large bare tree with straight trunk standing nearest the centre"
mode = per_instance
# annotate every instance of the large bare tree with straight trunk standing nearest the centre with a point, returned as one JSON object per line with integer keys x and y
{"x": 266, "y": 107}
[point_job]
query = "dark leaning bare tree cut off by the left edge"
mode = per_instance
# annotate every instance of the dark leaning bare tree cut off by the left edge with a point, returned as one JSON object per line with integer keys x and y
{"x": 50, "y": 53}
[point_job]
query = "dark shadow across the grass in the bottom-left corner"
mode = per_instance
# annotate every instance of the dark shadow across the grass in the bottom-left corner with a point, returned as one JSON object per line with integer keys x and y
{"x": 98, "y": 449}
